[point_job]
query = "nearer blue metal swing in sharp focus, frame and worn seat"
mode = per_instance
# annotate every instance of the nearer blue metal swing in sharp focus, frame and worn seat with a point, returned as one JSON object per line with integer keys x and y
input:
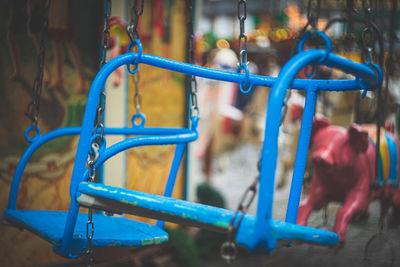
{"x": 262, "y": 235}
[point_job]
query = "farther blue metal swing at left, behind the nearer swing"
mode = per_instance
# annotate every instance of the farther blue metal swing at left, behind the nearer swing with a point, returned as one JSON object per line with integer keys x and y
{"x": 110, "y": 231}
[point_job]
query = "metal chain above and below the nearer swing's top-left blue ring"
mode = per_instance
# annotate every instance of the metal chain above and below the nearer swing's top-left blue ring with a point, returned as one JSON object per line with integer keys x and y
{"x": 133, "y": 33}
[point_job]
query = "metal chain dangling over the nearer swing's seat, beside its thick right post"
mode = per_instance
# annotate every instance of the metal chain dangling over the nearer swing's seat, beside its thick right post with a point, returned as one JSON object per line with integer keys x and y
{"x": 229, "y": 248}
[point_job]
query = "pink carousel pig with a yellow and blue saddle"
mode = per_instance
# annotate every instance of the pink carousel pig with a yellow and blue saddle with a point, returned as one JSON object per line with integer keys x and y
{"x": 343, "y": 164}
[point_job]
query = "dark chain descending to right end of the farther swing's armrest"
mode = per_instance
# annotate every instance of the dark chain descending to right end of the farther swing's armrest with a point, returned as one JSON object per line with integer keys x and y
{"x": 194, "y": 110}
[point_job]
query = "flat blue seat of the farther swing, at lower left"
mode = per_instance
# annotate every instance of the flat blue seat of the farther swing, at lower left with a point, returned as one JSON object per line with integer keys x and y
{"x": 110, "y": 231}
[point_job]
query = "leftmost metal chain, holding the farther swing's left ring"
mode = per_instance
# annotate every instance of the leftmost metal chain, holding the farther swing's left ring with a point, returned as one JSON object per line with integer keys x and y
{"x": 33, "y": 108}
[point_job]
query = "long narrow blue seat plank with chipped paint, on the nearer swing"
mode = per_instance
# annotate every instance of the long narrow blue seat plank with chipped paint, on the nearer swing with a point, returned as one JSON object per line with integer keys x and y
{"x": 184, "y": 212}
